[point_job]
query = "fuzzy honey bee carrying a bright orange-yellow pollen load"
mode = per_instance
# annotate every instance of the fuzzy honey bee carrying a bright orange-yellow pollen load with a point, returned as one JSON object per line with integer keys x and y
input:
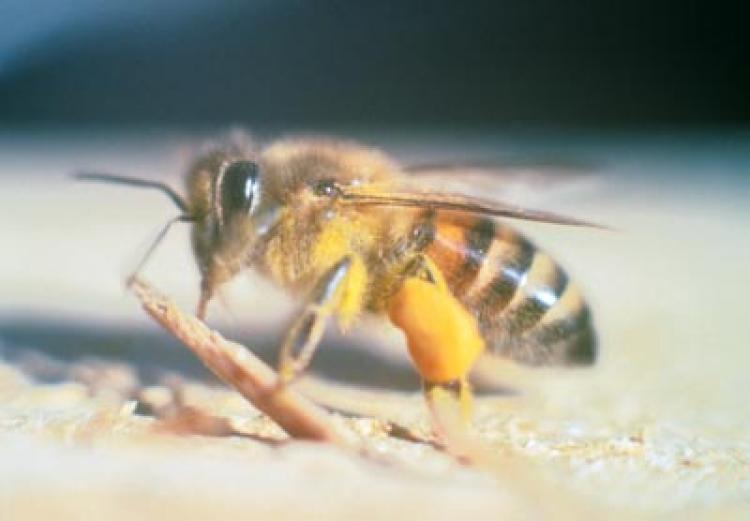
{"x": 347, "y": 230}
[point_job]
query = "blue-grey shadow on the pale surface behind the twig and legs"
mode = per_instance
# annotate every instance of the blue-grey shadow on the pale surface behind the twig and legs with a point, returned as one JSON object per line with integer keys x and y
{"x": 45, "y": 349}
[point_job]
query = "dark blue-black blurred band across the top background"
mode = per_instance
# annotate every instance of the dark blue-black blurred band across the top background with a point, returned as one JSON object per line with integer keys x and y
{"x": 463, "y": 64}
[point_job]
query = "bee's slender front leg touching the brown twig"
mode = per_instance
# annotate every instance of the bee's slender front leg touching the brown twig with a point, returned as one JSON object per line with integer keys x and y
{"x": 305, "y": 334}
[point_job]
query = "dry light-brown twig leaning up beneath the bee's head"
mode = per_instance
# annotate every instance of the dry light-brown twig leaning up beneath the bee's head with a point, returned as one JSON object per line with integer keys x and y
{"x": 242, "y": 370}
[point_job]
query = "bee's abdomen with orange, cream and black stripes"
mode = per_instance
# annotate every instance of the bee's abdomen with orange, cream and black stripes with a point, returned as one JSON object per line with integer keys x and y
{"x": 527, "y": 308}
